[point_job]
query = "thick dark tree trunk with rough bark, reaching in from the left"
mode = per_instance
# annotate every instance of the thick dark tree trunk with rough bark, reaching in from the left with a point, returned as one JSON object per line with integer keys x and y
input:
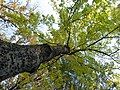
{"x": 15, "y": 59}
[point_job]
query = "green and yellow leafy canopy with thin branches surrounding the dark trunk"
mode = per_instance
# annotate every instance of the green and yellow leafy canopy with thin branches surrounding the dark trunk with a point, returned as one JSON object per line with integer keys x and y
{"x": 90, "y": 30}
